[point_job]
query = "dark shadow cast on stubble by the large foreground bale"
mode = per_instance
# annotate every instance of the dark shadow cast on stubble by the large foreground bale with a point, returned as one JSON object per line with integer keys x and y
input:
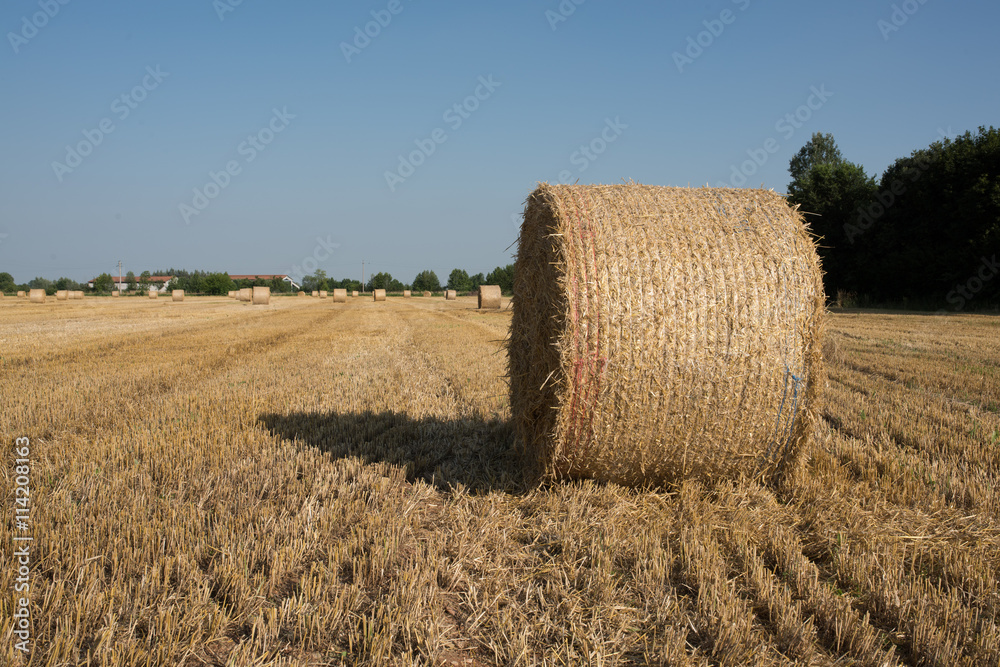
{"x": 477, "y": 453}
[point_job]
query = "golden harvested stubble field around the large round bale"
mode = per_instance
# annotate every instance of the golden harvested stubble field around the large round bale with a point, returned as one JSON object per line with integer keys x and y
{"x": 380, "y": 517}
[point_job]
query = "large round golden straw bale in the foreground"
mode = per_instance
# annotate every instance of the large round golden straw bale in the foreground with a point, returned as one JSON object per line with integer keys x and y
{"x": 660, "y": 333}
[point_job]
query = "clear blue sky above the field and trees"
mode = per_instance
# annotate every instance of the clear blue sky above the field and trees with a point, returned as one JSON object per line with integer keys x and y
{"x": 324, "y": 174}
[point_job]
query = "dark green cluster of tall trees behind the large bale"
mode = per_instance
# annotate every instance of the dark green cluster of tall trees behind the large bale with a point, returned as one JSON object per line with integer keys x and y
{"x": 925, "y": 234}
